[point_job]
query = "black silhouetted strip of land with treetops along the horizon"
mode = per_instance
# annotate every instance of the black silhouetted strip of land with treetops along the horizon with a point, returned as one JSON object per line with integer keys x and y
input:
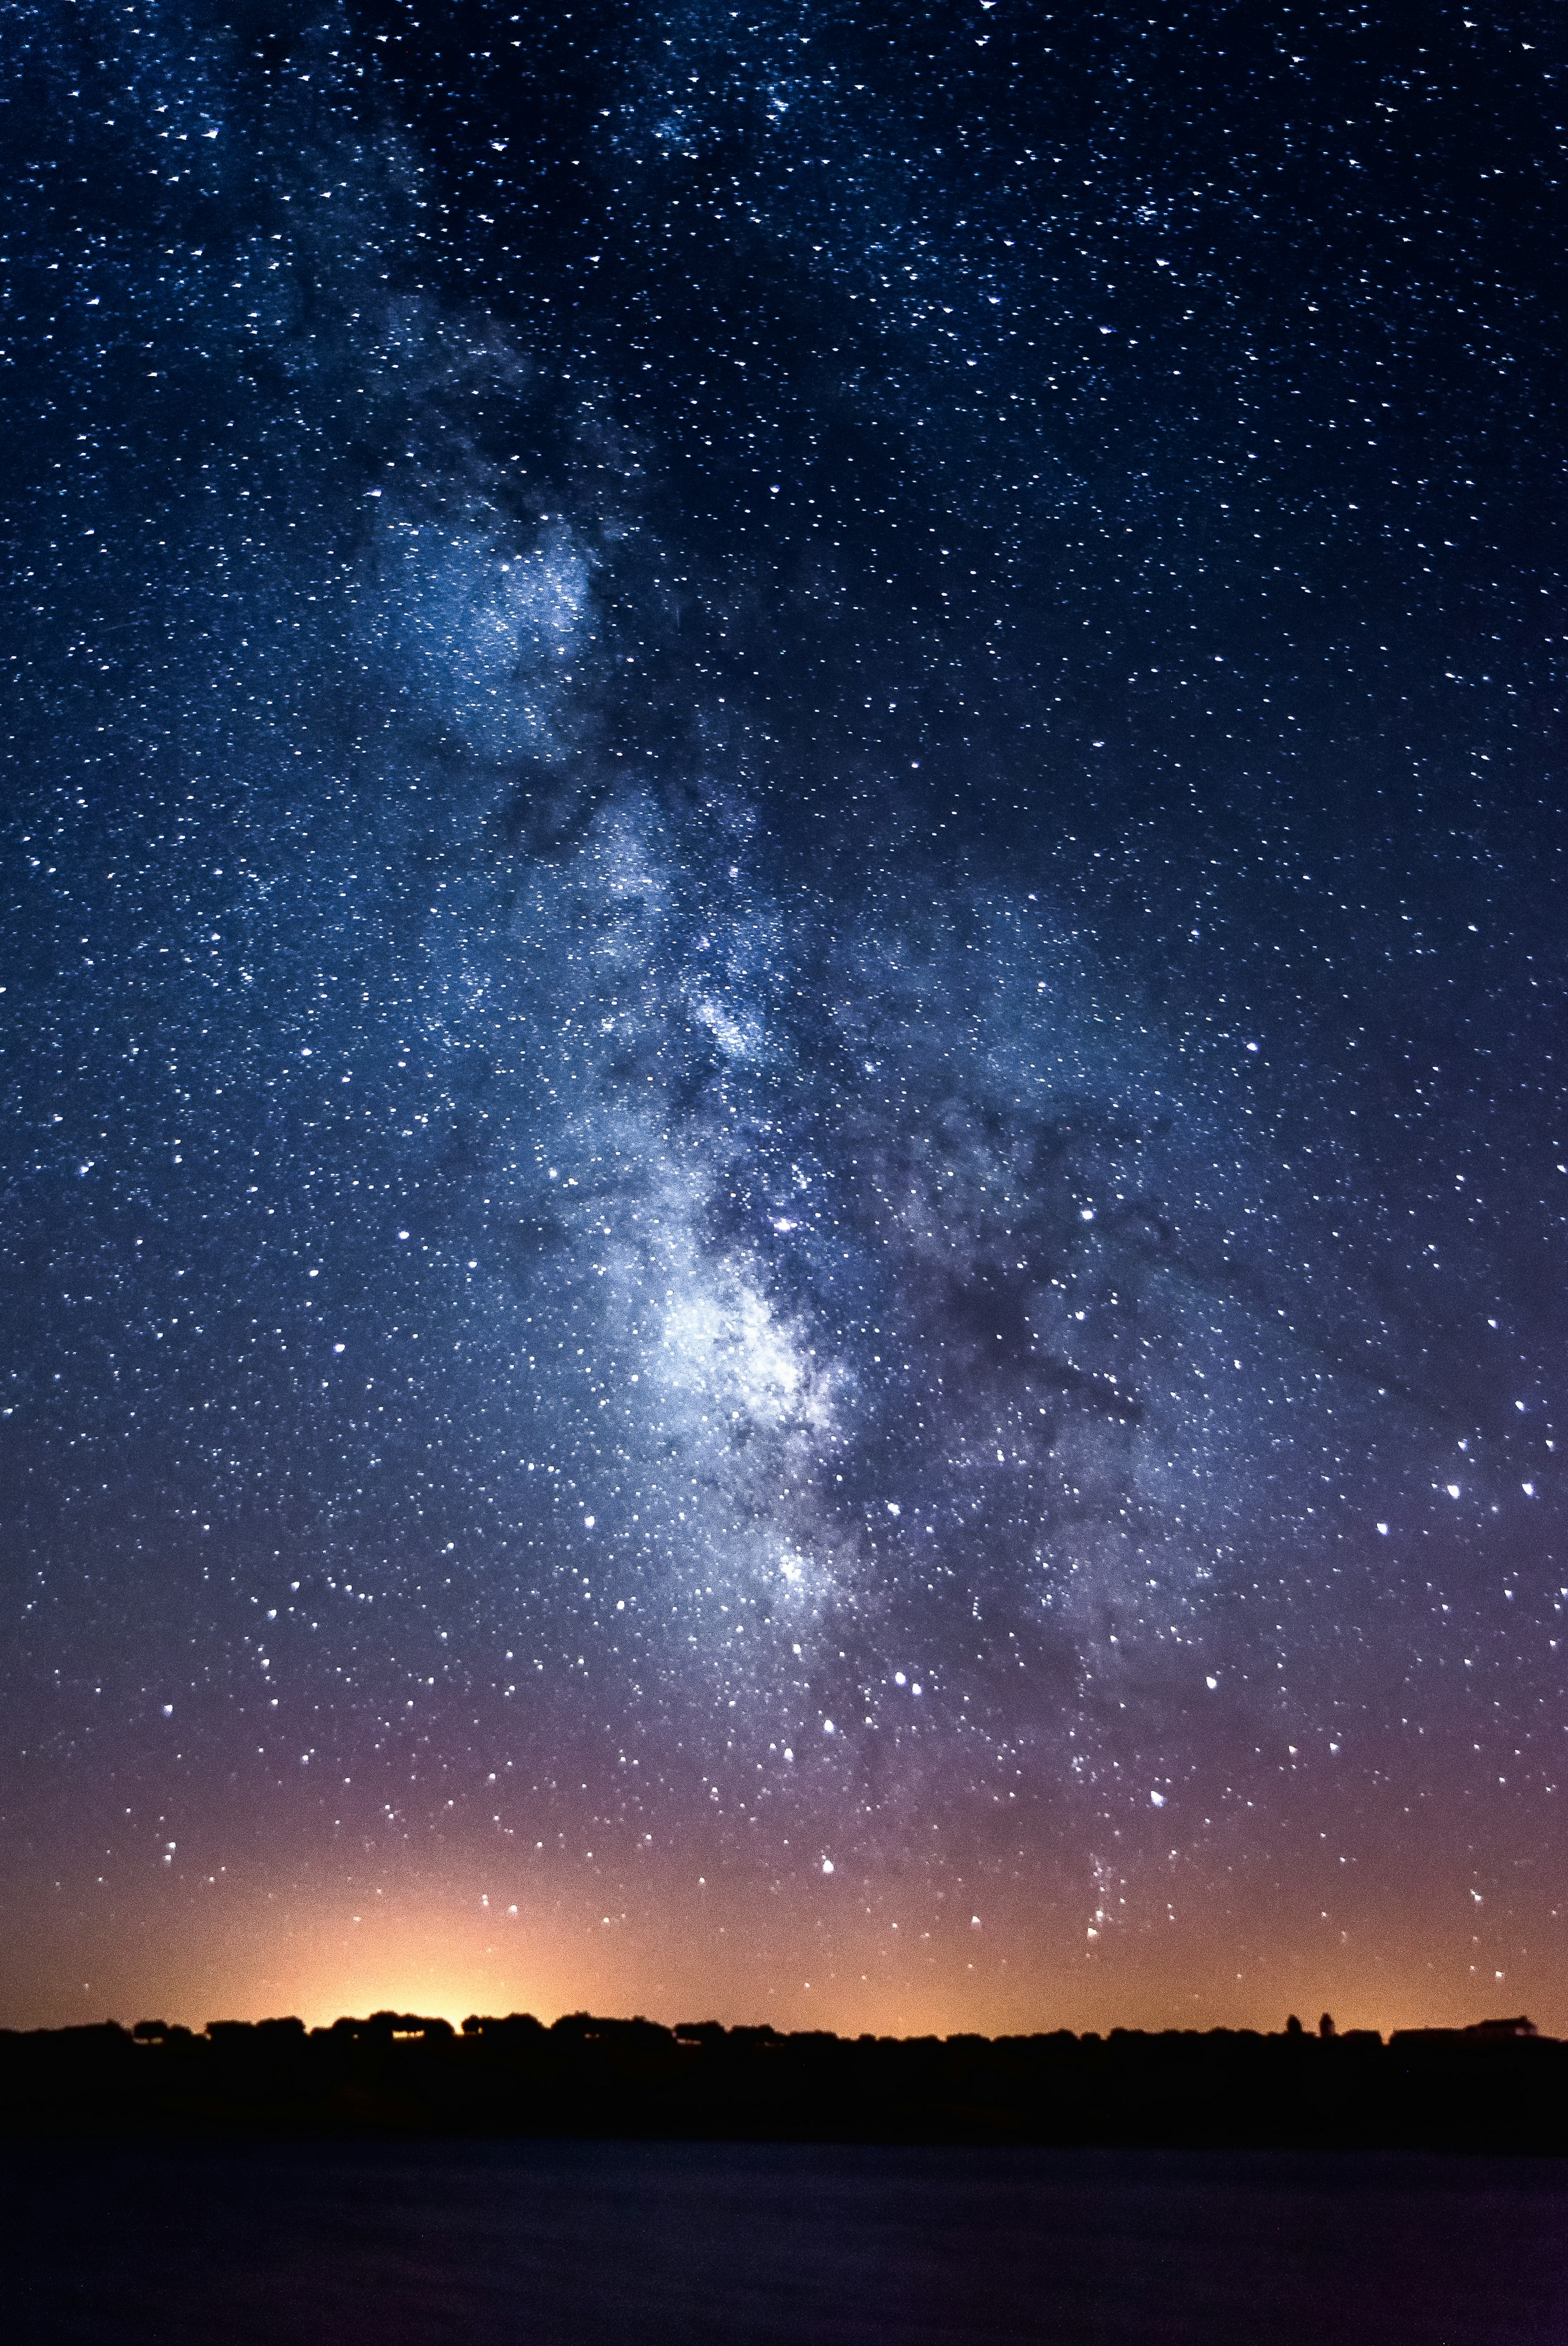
{"x": 1497, "y": 2087}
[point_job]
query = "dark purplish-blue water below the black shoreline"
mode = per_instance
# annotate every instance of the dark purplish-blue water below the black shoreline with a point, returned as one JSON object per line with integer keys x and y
{"x": 592, "y": 2244}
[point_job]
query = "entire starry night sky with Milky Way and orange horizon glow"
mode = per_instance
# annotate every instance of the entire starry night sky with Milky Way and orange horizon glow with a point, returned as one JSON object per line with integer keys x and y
{"x": 784, "y": 1012}
